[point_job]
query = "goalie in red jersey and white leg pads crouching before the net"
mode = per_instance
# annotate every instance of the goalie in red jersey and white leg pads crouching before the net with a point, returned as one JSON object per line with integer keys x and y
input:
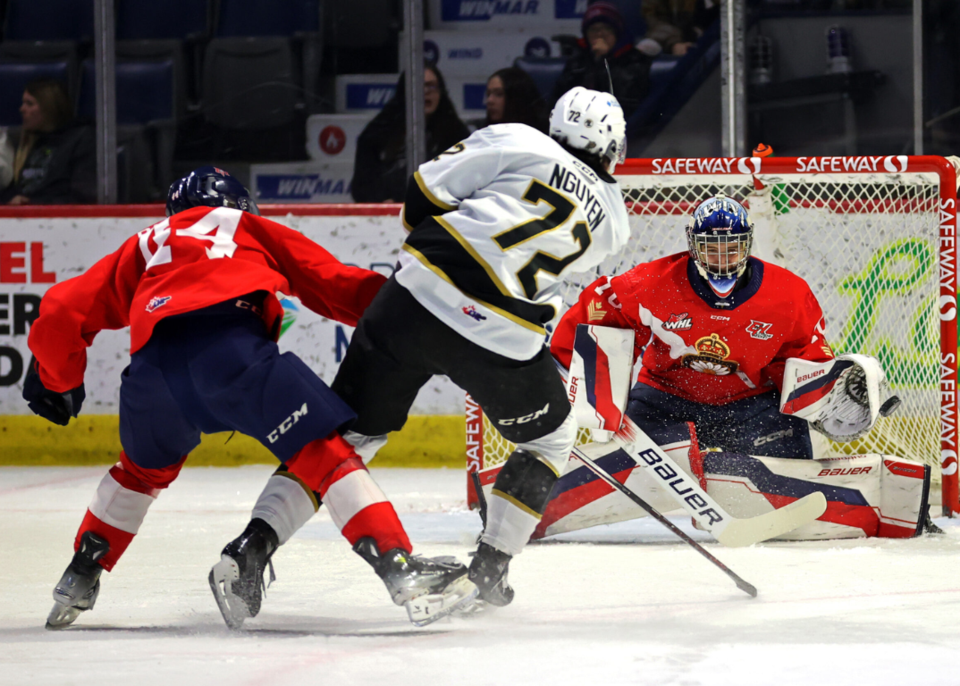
{"x": 735, "y": 371}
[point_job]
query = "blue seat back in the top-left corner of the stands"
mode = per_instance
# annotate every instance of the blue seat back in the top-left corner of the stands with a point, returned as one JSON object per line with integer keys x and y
{"x": 49, "y": 20}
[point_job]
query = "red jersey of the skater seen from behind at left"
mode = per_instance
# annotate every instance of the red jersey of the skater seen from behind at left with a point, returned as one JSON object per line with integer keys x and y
{"x": 186, "y": 262}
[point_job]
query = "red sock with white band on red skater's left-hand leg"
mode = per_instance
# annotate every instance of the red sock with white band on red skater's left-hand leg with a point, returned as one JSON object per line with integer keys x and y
{"x": 120, "y": 504}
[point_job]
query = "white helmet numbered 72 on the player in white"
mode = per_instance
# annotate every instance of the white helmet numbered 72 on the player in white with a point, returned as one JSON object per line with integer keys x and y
{"x": 591, "y": 121}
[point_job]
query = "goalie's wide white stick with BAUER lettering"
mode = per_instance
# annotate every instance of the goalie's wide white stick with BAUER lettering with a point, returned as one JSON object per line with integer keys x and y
{"x": 728, "y": 530}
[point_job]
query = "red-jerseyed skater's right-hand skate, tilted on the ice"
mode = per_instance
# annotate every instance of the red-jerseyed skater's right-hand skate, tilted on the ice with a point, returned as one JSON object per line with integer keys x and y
{"x": 429, "y": 588}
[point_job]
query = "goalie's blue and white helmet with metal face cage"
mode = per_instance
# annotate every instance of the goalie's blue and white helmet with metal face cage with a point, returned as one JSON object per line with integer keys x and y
{"x": 720, "y": 237}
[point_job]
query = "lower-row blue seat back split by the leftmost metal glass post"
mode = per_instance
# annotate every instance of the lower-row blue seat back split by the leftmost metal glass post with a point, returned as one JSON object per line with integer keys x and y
{"x": 145, "y": 91}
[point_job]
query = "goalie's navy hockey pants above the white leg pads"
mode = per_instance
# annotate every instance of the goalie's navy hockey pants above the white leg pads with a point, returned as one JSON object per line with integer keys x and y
{"x": 752, "y": 426}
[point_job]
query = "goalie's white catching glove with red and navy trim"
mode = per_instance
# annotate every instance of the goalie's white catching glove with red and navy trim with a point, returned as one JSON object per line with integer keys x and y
{"x": 842, "y": 398}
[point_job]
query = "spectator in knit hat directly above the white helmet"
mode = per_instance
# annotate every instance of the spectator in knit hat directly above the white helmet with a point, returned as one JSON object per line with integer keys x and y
{"x": 606, "y": 42}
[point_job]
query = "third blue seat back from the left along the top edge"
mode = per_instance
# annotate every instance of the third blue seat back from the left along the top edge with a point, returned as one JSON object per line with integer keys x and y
{"x": 238, "y": 18}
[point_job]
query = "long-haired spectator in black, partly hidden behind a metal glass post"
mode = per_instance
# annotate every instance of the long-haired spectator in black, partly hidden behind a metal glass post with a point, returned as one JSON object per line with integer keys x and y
{"x": 380, "y": 168}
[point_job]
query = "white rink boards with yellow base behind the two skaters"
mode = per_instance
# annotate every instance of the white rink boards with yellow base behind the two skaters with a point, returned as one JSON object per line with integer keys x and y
{"x": 50, "y": 246}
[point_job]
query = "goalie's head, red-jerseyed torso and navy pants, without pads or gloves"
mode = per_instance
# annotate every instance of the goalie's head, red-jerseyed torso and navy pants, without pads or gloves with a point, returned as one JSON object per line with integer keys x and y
{"x": 715, "y": 327}
